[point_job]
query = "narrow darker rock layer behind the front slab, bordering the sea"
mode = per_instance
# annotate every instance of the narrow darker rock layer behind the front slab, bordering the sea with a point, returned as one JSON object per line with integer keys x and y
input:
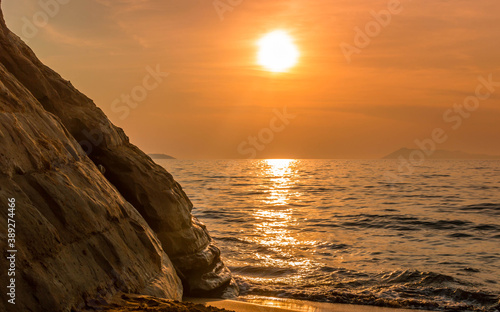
{"x": 149, "y": 188}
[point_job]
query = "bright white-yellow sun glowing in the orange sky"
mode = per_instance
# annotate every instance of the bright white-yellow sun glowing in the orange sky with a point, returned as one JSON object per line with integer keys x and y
{"x": 277, "y": 52}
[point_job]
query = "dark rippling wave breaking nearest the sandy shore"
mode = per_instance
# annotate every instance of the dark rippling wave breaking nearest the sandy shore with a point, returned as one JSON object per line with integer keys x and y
{"x": 398, "y": 289}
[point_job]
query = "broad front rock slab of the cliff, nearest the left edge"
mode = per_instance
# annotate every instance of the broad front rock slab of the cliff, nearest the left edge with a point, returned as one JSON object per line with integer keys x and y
{"x": 76, "y": 238}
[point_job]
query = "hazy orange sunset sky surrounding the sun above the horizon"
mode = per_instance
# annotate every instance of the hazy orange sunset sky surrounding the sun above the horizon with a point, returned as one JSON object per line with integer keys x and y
{"x": 395, "y": 90}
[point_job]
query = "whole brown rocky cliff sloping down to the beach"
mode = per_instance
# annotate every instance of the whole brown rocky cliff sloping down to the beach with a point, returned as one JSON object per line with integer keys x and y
{"x": 94, "y": 215}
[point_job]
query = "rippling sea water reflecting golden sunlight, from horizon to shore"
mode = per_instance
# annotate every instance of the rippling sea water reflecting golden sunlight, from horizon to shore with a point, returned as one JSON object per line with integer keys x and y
{"x": 337, "y": 231}
